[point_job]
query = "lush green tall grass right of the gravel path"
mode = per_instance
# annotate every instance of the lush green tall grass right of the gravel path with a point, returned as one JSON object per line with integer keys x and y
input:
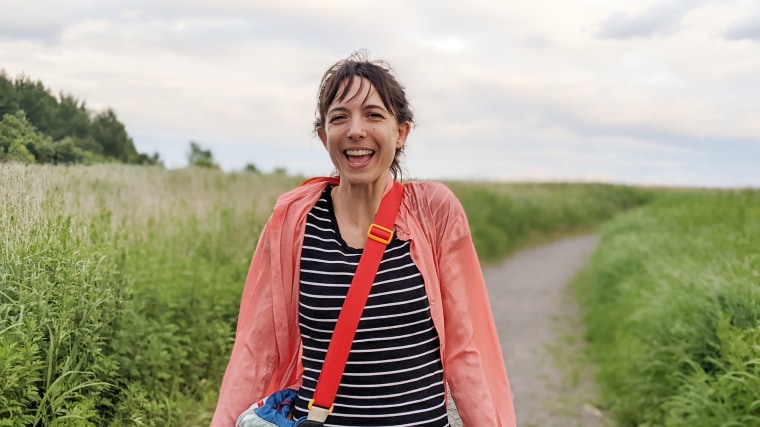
{"x": 673, "y": 299}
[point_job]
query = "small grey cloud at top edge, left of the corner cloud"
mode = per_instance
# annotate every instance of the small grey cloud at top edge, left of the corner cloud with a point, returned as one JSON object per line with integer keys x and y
{"x": 662, "y": 16}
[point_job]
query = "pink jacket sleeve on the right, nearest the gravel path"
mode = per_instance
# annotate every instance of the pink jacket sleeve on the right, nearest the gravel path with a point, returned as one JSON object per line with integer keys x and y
{"x": 473, "y": 359}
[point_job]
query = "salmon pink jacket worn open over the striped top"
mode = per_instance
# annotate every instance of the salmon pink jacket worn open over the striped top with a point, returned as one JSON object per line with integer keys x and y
{"x": 266, "y": 356}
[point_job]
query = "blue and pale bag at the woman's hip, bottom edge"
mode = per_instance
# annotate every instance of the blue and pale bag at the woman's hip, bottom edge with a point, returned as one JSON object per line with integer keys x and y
{"x": 272, "y": 411}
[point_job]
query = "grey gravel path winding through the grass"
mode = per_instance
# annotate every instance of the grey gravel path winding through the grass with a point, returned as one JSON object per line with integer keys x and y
{"x": 541, "y": 335}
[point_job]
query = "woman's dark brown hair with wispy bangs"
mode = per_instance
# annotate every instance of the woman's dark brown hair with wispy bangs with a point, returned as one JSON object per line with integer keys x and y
{"x": 380, "y": 75}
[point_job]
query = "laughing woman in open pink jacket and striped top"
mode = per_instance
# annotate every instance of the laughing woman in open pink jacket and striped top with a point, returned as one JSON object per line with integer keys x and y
{"x": 427, "y": 325}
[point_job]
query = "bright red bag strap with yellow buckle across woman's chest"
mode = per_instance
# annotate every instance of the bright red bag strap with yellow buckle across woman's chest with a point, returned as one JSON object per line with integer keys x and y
{"x": 379, "y": 235}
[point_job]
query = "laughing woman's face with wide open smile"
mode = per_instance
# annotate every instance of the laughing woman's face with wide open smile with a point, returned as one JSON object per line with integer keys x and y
{"x": 361, "y": 135}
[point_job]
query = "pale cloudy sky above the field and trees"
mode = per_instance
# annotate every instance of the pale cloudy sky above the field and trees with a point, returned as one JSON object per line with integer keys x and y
{"x": 646, "y": 92}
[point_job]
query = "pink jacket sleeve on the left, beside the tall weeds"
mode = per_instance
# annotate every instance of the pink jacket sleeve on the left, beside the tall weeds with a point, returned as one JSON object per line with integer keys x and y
{"x": 254, "y": 354}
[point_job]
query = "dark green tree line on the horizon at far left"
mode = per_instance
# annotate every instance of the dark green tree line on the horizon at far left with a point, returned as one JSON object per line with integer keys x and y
{"x": 39, "y": 127}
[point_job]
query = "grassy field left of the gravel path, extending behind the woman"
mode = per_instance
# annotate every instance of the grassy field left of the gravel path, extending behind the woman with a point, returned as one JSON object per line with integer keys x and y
{"x": 119, "y": 286}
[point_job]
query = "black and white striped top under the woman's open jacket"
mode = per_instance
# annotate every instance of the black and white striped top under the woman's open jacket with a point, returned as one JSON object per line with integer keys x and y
{"x": 394, "y": 373}
